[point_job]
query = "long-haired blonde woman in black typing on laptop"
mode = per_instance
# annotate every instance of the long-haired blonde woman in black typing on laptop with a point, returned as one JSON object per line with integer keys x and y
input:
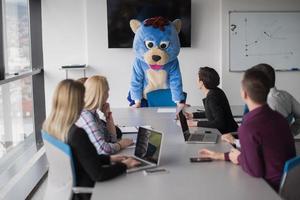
{"x": 68, "y": 101}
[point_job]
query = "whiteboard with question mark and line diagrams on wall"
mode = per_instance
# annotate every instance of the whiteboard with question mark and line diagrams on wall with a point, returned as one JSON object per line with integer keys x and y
{"x": 264, "y": 37}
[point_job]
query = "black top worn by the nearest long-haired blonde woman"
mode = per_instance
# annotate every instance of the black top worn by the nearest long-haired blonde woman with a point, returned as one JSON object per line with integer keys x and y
{"x": 89, "y": 166}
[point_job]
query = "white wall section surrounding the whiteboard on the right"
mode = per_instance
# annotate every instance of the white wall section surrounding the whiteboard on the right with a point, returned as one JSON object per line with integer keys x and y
{"x": 289, "y": 81}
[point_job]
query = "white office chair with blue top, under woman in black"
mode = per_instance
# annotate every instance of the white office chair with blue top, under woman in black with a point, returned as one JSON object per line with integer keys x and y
{"x": 61, "y": 175}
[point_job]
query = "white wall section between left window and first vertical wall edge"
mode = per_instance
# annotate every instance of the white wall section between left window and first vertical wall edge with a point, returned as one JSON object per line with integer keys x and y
{"x": 64, "y": 42}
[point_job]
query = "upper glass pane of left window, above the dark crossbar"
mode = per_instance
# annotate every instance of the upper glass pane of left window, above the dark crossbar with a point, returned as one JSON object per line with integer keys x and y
{"x": 16, "y": 36}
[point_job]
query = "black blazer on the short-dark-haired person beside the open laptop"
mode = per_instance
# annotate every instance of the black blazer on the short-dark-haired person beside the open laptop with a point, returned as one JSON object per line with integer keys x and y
{"x": 217, "y": 112}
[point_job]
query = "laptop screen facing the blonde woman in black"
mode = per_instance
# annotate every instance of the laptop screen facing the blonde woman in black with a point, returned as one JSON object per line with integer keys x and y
{"x": 148, "y": 145}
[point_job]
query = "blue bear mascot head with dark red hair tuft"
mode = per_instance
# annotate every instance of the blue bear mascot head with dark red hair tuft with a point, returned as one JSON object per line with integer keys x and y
{"x": 156, "y": 41}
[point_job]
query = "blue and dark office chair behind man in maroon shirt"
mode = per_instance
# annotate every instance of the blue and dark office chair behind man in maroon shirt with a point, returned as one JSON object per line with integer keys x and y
{"x": 289, "y": 186}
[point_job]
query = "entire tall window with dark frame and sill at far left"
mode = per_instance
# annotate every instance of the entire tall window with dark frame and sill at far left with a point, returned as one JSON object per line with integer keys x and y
{"x": 22, "y": 95}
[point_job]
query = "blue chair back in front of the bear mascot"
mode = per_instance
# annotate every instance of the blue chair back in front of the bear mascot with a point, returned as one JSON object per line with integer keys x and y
{"x": 161, "y": 98}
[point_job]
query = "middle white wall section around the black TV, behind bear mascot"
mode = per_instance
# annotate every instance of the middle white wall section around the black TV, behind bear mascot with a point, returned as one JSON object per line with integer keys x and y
{"x": 116, "y": 64}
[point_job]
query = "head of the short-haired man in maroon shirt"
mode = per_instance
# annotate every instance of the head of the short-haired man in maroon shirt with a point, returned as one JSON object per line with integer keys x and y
{"x": 255, "y": 87}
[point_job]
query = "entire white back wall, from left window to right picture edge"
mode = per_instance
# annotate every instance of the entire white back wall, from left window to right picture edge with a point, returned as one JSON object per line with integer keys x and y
{"x": 75, "y": 31}
